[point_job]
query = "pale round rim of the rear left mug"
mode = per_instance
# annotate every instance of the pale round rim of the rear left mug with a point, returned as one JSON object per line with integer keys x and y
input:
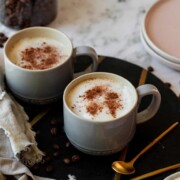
{"x": 39, "y": 28}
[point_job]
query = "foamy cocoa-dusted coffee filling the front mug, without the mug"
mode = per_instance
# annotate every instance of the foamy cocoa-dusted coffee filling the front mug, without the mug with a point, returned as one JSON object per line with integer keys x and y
{"x": 100, "y": 99}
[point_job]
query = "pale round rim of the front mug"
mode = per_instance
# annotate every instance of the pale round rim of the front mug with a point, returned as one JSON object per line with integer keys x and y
{"x": 99, "y": 73}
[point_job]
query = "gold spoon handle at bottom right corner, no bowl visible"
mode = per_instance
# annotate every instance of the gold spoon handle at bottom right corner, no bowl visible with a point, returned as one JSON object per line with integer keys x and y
{"x": 158, "y": 171}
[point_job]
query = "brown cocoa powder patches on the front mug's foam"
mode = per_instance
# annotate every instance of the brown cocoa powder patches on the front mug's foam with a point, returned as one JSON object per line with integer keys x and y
{"x": 111, "y": 100}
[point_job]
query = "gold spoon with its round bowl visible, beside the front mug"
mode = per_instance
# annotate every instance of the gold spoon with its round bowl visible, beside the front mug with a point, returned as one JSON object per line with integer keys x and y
{"x": 122, "y": 167}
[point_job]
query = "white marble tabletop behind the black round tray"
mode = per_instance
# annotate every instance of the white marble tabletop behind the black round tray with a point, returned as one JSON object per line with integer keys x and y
{"x": 112, "y": 27}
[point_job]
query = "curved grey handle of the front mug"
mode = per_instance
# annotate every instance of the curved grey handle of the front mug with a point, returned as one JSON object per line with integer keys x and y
{"x": 153, "y": 107}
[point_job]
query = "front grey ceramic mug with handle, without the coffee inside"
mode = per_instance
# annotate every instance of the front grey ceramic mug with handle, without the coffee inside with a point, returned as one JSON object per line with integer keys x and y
{"x": 107, "y": 136}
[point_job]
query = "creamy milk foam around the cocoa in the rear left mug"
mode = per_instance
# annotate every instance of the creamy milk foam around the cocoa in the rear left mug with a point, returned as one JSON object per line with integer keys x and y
{"x": 15, "y": 54}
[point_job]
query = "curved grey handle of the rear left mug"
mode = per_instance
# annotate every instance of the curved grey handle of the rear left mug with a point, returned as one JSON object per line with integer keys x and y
{"x": 88, "y": 51}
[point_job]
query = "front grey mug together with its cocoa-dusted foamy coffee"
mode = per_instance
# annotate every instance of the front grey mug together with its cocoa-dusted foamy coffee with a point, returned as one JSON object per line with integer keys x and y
{"x": 100, "y": 111}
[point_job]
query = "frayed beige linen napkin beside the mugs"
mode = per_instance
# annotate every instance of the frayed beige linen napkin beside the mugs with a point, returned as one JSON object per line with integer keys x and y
{"x": 18, "y": 148}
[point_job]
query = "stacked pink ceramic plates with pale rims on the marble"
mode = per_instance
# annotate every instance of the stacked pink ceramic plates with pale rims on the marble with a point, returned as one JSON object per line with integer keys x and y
{"x": 160, "y": 32}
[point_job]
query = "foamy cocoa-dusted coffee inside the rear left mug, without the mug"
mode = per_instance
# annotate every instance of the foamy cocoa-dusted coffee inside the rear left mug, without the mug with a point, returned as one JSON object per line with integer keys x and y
{"x": 38, "y": 53}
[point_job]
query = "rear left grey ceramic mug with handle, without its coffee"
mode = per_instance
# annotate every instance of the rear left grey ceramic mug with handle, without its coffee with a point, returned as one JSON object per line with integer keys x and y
{"x": 43, "y": 86}
